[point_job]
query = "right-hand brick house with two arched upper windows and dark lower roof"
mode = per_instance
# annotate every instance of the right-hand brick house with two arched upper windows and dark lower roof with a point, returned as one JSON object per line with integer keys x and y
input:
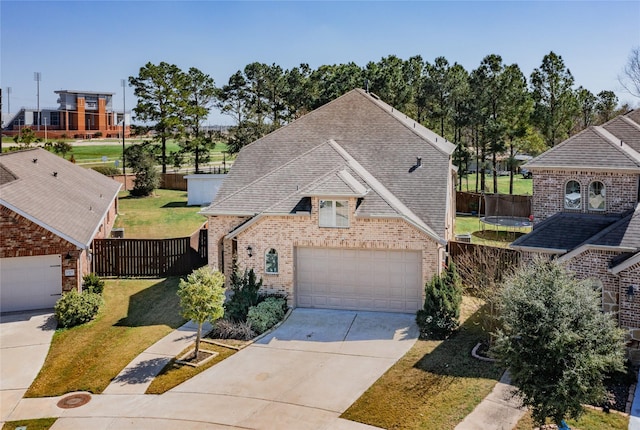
{"x": 586, "y": 194}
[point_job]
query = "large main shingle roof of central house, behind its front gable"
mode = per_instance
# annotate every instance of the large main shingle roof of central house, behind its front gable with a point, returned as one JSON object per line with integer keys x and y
{"x": 382, "y": 140}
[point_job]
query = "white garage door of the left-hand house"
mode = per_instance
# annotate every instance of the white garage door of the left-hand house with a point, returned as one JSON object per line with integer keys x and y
{"x": 30, "y": 282}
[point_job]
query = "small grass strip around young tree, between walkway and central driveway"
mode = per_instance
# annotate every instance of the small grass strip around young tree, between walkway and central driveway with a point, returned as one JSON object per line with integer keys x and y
{"x": 174, "y": 374}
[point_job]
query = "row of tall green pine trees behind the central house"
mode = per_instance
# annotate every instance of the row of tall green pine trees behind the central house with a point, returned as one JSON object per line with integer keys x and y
{"x": 487, "y": 112}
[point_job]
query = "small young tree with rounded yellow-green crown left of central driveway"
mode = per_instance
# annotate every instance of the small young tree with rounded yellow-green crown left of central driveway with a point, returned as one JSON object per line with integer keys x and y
{"x": 202, "y": 298}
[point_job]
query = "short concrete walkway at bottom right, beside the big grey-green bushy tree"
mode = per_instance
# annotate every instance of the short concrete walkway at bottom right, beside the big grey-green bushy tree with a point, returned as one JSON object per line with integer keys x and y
{"x": 500, "y": 410}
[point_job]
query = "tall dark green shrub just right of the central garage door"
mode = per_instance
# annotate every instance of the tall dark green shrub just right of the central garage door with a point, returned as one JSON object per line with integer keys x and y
{"x": 440, "y": 314}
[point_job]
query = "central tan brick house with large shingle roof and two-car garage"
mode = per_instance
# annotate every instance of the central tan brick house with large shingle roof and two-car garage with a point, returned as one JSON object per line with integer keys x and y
{"x": 349, "y": 207}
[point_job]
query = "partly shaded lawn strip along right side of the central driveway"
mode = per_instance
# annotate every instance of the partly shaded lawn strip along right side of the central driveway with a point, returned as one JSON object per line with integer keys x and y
{"x": 434, "y": 386}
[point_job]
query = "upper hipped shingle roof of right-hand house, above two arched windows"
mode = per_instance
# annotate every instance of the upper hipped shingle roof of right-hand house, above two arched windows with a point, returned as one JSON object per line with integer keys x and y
{"x": 612, "y": 146}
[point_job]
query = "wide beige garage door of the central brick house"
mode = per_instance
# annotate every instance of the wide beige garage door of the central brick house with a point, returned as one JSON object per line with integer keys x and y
{"x": 389, "y": 281}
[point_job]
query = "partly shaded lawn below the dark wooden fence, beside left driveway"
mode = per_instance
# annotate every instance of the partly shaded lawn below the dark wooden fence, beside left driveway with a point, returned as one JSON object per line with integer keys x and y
{"x": 136, "y": 314}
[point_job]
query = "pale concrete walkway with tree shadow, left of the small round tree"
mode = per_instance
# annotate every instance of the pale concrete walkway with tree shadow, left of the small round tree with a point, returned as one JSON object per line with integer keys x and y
{"x": 138, "y": 375}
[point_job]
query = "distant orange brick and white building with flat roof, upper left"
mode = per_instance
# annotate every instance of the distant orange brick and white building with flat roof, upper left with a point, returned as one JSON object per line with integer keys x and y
{"x": 80, "y": 114}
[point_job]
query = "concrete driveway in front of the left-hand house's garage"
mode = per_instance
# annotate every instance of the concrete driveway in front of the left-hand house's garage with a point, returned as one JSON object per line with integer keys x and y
{"x": 24, "y": 343}
